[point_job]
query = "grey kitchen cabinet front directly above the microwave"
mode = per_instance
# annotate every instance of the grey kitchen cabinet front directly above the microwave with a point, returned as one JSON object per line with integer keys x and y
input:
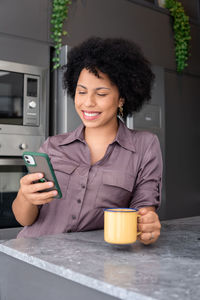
{"x": 25, "y": 28}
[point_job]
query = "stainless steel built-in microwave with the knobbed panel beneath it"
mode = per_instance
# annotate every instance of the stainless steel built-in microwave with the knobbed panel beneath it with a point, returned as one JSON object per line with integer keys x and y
{"x": 23, "y": 107}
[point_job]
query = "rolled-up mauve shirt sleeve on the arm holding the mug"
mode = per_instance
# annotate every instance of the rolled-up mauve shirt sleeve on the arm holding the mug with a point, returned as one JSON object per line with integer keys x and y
{"x": 147, "y": 190}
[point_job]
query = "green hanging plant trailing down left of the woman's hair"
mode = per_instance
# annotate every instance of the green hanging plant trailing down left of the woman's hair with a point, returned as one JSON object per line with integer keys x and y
{"x": 58, "y": 16}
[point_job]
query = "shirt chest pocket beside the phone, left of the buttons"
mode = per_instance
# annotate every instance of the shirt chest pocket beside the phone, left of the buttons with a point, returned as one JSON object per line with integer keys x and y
{"x": 63, "y": 171}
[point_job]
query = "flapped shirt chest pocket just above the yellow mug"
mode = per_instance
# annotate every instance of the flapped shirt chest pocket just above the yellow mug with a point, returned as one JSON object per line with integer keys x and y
{"x": 115, "y": 190}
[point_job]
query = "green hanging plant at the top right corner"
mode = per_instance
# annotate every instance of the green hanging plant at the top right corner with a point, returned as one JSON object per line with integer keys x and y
{"x": 182, "y": 35}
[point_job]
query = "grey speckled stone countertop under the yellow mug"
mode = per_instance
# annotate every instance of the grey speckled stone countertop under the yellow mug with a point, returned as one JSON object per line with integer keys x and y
{"x": 168, "y": 269}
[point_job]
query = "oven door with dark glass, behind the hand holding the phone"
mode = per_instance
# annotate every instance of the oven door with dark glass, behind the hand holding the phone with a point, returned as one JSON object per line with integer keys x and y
{"x": 11, "y": 170}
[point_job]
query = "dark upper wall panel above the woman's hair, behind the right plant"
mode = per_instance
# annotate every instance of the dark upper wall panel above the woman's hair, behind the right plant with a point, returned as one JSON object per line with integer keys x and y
{"x": 148, "y": 27}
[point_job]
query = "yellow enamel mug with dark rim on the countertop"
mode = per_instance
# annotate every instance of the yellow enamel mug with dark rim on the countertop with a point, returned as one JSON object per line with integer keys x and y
{"x": 120, "y": 225}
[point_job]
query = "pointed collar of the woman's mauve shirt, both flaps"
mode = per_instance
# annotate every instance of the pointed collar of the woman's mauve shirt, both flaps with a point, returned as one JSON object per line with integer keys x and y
{"x": 124, "y": 137}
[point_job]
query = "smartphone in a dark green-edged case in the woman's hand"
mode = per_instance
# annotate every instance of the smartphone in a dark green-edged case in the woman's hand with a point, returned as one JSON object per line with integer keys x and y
{"x": 37, "y": 162}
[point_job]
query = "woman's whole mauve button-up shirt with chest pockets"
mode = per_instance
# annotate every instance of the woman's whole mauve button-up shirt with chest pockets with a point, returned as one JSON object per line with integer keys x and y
{"x": 129, "y": 175}
